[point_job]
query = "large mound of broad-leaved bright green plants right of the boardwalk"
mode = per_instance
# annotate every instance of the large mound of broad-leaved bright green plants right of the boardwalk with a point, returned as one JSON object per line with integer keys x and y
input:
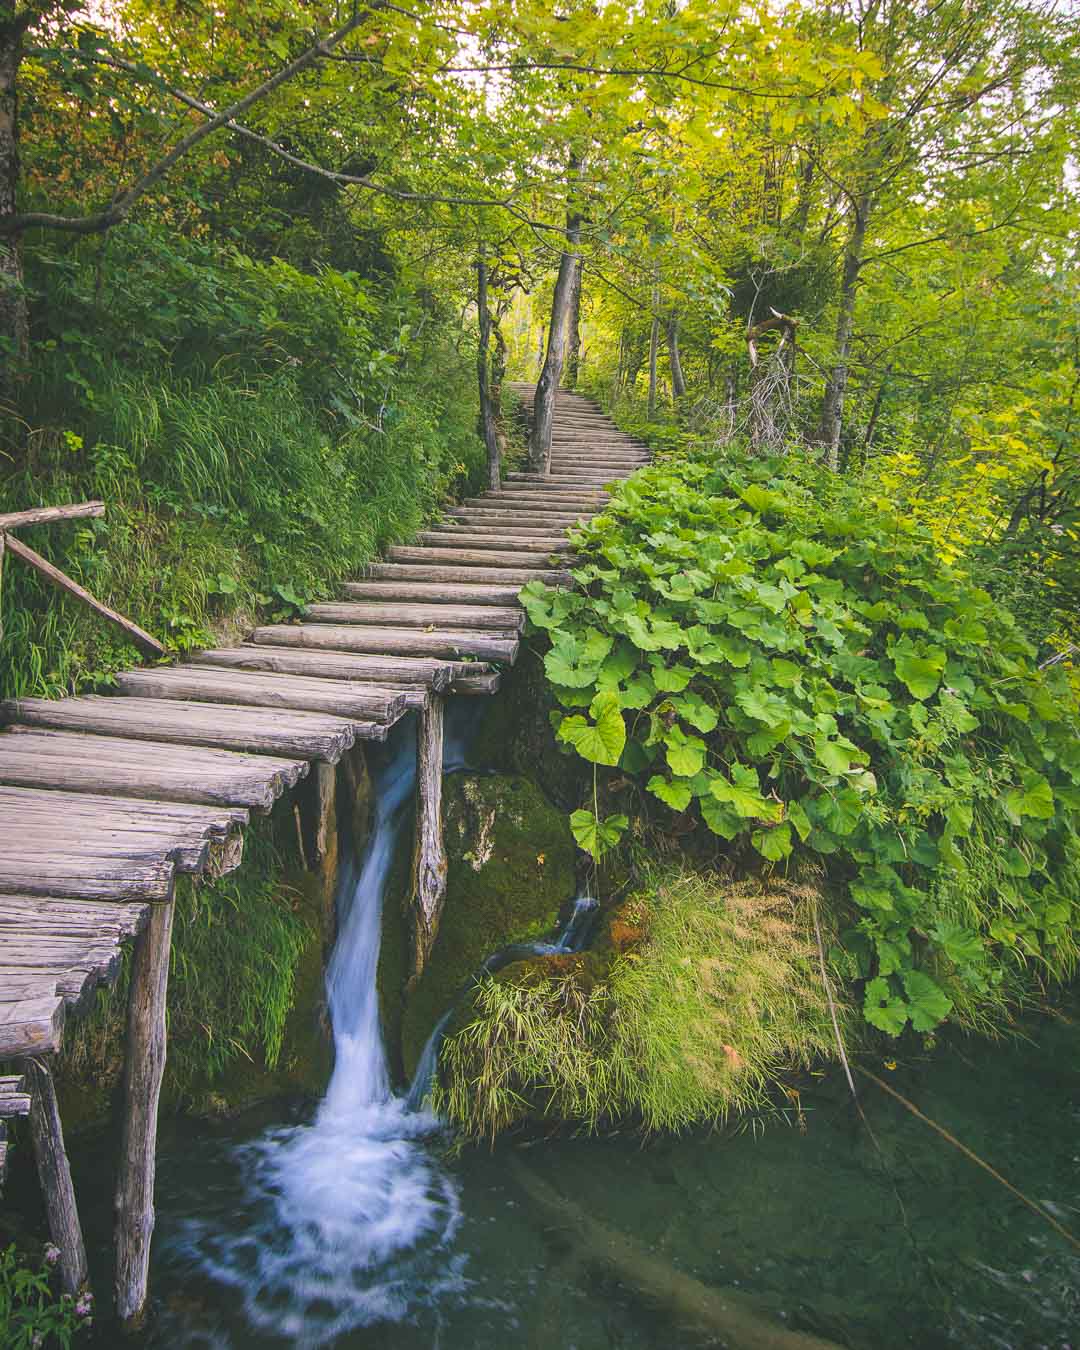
{"x": 766, "y": 650}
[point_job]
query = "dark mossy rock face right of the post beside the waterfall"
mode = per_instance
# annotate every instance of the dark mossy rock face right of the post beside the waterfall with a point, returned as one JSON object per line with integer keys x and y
{"x": 511, "y": 869}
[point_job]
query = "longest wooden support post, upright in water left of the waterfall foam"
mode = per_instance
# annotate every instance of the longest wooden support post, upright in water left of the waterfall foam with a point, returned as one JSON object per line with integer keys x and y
{"x": 134, "y": 1202}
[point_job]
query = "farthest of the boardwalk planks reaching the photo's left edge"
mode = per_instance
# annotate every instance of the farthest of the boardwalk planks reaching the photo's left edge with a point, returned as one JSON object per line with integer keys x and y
{"x": 226, "y": 727}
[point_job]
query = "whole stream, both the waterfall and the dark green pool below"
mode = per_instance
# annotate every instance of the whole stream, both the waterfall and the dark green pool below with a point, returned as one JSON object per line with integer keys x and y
{"x": 354, "y": 1226}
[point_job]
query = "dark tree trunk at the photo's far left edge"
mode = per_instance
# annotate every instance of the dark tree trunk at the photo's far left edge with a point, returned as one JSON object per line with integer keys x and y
{"x": 14, "y": 318}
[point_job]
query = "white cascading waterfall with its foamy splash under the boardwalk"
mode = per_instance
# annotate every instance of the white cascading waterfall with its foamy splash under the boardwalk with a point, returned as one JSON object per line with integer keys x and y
{"x": 349, "y": 1220}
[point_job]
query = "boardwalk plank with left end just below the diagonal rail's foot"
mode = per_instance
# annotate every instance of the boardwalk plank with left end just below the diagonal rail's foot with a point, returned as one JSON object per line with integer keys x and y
{"x": 260, "y": 689}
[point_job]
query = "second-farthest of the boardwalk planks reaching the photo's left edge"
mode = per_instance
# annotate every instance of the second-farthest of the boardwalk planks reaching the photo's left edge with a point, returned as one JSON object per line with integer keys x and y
{"x": 74, "y": 762}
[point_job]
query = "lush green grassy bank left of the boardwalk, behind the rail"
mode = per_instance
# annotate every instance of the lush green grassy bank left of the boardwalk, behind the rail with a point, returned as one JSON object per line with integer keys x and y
{"x": 257, "y": 435}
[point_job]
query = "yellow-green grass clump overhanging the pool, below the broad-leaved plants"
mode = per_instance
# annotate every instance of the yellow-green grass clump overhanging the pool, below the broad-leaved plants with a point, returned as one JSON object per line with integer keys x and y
{"x": 723, "y": 996}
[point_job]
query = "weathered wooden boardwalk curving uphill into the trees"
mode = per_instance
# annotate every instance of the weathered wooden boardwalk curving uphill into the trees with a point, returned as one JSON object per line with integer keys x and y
{"x": 105, "y": 800}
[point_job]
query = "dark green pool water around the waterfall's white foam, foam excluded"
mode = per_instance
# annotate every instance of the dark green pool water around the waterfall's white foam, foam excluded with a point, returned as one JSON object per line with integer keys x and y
{"x": 908, "y": 1248}
